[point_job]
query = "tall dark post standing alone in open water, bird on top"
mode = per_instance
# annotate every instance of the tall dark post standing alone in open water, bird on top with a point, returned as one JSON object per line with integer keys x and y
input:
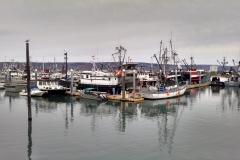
{"x": 28, "y": 82}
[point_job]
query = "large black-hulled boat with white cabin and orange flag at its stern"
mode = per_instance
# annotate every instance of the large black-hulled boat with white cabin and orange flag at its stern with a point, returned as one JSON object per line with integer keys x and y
{"x": 111, "y": 79}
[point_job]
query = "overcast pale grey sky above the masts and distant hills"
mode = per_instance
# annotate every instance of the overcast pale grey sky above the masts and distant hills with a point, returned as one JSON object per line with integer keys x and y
{"x": 207, "y": 30}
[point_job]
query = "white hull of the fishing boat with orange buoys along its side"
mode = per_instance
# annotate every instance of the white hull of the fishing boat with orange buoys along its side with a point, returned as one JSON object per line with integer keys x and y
{"x": 164, "y": 90}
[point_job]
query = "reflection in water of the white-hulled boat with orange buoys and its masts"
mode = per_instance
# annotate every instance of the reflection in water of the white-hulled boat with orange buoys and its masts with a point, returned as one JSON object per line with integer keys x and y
{"x": 167, "y": 114}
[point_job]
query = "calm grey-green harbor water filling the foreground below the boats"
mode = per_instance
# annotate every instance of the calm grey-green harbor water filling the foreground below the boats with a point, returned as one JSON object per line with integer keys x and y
{"x": 202, "y": 124}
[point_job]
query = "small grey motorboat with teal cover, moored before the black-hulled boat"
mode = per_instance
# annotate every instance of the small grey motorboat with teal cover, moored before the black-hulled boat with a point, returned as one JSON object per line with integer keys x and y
{"x": 90, "y": 93}
